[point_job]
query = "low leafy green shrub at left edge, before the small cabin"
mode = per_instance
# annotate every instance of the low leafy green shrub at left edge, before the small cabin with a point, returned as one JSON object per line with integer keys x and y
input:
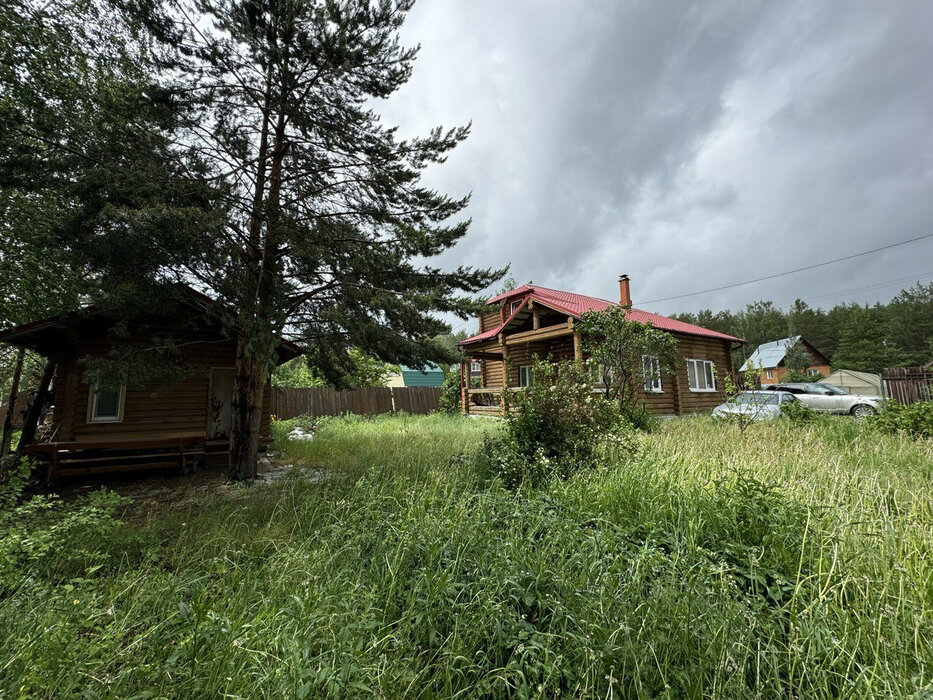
{"x": 46, "y": 535}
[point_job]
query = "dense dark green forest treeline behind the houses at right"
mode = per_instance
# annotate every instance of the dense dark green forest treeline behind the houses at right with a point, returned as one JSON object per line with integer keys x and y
{"x": 852, "y": 336}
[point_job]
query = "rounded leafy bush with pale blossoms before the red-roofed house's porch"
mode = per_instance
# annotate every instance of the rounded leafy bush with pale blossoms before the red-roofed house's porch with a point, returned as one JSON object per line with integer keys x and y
{"x": 553, "y": 427}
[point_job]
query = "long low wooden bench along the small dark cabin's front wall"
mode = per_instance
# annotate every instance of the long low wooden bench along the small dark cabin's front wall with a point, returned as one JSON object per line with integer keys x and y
{"x": 72, "y": 458}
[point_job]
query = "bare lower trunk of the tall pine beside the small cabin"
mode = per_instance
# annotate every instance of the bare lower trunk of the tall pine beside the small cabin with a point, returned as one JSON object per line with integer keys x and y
{"x": 246, "y": 413}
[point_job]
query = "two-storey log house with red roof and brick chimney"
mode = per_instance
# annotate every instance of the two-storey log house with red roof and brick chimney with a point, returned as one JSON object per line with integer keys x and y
{"x": 533, "y": 321}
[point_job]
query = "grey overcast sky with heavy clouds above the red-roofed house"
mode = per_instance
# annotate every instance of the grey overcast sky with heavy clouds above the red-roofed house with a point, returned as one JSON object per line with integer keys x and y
{"x": 689, "y": 145}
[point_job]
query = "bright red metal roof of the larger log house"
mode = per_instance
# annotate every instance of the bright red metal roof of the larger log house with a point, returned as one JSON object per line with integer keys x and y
{"x": 578, "y": 304}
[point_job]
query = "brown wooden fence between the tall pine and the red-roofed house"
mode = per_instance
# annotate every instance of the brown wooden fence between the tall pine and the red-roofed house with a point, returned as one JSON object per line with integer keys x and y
{"x": 325, "y": 401}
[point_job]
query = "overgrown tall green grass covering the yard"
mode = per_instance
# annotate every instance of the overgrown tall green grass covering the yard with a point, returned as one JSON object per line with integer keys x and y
{"x": 796, "y": 562}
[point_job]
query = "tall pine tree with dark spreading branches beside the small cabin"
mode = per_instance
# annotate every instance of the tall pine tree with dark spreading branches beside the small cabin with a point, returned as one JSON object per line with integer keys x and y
{"x": 326, "y": 219}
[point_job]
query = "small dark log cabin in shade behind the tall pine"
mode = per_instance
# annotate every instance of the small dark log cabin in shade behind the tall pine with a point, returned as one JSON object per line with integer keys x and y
{"x": 170, "y": 422}
